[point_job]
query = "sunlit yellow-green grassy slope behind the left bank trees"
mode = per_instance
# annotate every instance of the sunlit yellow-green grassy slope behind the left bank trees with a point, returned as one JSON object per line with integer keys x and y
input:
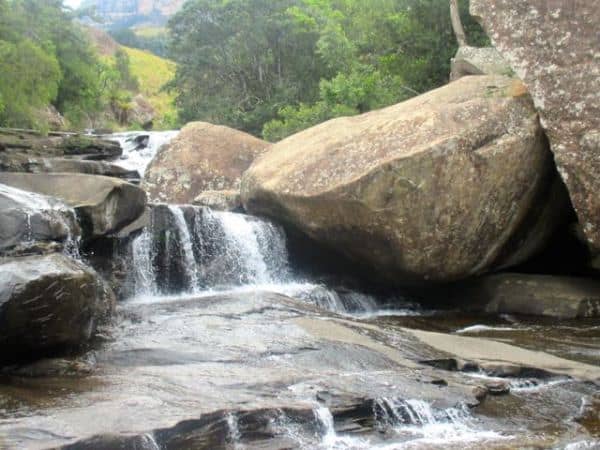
{"x": 153, "y": 72}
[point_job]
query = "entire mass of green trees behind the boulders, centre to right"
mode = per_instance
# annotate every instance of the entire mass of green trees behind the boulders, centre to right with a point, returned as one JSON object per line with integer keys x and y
{"x": 276, "y": 67}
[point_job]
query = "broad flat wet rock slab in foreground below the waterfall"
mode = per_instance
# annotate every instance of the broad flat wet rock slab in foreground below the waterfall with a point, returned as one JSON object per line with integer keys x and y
{"x": 267, "y": 371}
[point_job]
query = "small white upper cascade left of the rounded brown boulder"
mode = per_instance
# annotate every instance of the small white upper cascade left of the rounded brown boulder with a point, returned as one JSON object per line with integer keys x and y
{"x": 139, "y": 147}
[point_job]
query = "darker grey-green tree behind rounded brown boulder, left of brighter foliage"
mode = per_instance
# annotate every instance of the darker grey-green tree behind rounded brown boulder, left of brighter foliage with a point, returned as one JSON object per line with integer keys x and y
{"x": 240, "y": 61}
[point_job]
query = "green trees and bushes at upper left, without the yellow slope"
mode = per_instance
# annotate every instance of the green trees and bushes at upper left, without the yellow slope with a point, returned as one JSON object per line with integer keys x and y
{"x": 46, "y": 59}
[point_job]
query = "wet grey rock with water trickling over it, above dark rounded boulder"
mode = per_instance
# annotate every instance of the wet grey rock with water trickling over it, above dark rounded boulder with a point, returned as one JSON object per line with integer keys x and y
{"x": 30, "y": 222}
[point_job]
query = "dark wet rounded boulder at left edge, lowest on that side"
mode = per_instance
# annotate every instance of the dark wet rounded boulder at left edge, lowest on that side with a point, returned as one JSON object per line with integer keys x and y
{"x": 48, "y": 303}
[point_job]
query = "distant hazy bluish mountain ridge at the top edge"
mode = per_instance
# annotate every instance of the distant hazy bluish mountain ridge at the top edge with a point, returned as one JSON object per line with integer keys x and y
{"x": 128, "y": 12}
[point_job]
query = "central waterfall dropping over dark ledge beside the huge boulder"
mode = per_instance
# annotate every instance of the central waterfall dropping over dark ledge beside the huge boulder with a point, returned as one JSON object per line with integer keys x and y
{"x": 185, "y": 249}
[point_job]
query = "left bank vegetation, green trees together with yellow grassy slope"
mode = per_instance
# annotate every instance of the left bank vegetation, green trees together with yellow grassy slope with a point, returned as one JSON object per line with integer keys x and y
{"x": 55, "y": 74}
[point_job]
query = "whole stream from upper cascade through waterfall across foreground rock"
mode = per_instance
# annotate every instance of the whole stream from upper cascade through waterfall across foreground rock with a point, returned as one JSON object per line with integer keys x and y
{"x": 222, "y": 344}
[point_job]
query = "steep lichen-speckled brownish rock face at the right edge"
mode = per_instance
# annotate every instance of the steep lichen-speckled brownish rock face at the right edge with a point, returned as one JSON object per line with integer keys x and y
{"x": 554, "y": 47}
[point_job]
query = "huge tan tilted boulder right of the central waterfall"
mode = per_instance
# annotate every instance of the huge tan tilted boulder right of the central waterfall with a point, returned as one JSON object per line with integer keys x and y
{"x": 453, "y": 183}
